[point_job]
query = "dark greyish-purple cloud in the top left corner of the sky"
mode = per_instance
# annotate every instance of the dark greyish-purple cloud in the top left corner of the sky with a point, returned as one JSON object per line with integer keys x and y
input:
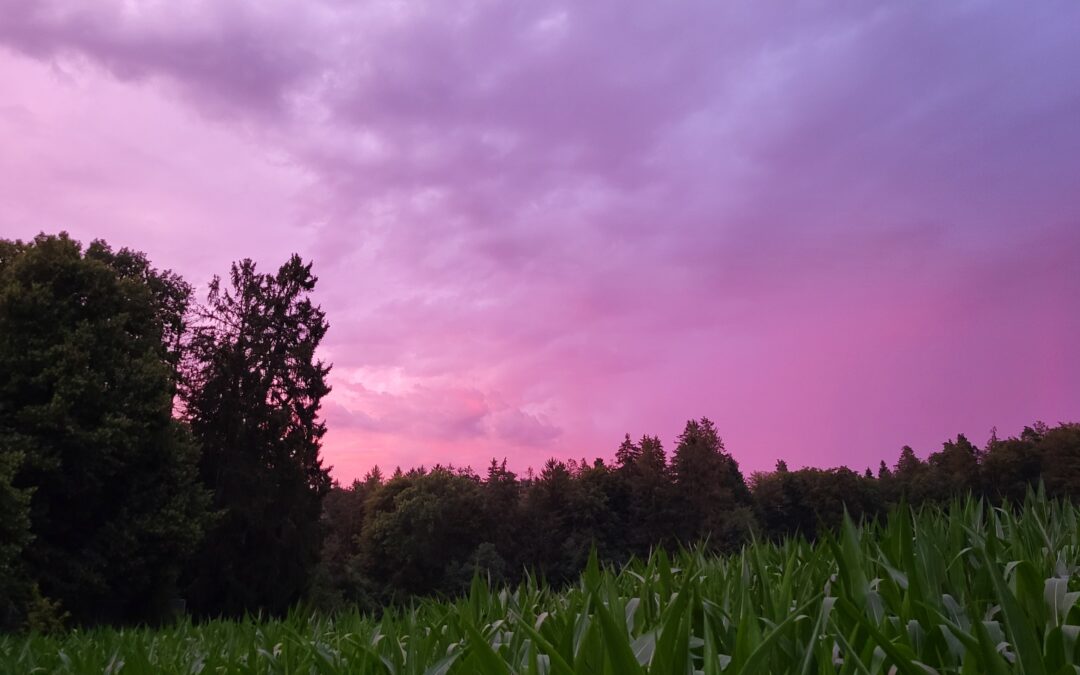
{"x": 244, "y": 53}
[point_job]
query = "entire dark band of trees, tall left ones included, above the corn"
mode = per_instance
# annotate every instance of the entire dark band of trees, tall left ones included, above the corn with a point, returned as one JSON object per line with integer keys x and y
{"x": 161, "y": 455}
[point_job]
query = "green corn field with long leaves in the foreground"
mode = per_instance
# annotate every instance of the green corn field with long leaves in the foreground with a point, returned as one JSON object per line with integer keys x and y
{"x": 970, "y": 589}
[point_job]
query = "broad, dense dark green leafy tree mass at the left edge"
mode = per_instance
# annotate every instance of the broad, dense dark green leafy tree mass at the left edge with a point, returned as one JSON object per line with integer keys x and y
{"x": 88, "y": 347}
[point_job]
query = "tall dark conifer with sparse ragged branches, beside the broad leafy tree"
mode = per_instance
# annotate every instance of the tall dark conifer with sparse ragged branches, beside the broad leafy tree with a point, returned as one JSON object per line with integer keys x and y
{"x": 252, "y": 396}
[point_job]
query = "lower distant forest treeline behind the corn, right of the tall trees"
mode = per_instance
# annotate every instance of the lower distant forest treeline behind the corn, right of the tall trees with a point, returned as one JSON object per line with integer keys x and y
{"x": 426, "y": 532}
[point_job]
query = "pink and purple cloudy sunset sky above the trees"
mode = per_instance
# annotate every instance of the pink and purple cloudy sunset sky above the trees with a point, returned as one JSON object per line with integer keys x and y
{"x": 833, "y": 228}
